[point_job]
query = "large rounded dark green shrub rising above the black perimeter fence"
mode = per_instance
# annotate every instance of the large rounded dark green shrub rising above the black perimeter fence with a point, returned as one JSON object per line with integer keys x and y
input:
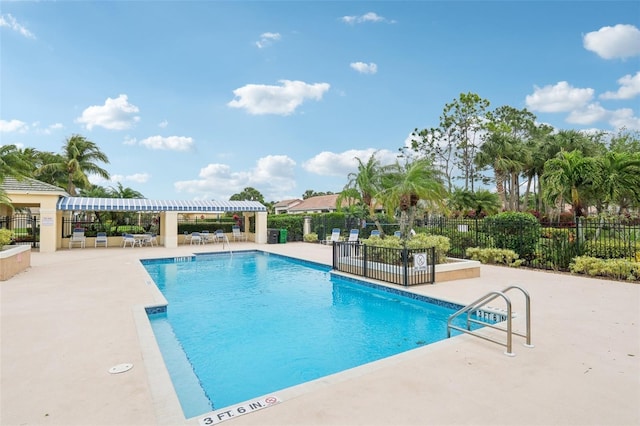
{"x": 514, "y": 230}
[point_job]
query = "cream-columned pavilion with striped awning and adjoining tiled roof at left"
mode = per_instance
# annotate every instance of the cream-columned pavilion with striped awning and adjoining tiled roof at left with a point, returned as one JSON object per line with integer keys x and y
{"x": 54, "y": 203}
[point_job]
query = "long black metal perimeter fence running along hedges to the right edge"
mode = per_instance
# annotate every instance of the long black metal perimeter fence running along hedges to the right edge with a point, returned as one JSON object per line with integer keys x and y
{"x": 543, "y": 245}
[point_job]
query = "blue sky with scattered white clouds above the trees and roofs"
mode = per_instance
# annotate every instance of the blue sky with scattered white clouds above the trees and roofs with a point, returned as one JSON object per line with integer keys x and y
{"x": 198, "y": 100}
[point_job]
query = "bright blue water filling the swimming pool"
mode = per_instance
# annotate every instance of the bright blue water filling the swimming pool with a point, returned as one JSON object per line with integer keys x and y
{"x": 244, "y": 325}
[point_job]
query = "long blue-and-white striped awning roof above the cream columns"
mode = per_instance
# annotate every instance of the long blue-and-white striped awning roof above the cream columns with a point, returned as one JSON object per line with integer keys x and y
{"x": 146, "y": 205}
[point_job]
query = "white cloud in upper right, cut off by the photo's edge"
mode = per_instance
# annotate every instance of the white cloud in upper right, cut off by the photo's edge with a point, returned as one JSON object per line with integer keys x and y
{"x": 620, "y": 41}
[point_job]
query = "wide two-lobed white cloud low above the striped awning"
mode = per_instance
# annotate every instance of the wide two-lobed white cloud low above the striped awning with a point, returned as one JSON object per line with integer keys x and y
{"x": 273, "y": 175}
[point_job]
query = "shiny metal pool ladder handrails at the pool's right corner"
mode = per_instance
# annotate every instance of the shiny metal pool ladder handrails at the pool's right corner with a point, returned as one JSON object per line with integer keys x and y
{"x": 471, "y": 308}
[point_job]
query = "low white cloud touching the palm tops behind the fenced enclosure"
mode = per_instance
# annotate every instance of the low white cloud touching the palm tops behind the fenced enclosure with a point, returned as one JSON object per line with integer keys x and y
{"x": 341, "y": 164}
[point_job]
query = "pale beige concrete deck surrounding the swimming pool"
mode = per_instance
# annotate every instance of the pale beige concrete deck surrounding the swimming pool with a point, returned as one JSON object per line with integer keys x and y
{"x": 76, "y": 313}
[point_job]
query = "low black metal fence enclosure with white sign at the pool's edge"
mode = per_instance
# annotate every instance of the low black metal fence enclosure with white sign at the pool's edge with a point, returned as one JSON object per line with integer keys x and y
{"x": 398, "y": 266}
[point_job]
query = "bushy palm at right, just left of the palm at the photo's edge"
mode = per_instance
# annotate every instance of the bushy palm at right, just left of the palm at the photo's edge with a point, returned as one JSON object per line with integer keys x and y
{"x": 568, "y": 176}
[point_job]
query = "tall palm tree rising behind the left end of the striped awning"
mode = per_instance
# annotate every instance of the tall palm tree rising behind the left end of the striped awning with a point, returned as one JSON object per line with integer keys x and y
{"x": 79, "y": 157}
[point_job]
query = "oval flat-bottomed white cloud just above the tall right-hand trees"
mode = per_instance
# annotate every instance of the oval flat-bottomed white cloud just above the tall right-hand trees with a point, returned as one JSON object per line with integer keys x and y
{"x": 559, "y": 98}
